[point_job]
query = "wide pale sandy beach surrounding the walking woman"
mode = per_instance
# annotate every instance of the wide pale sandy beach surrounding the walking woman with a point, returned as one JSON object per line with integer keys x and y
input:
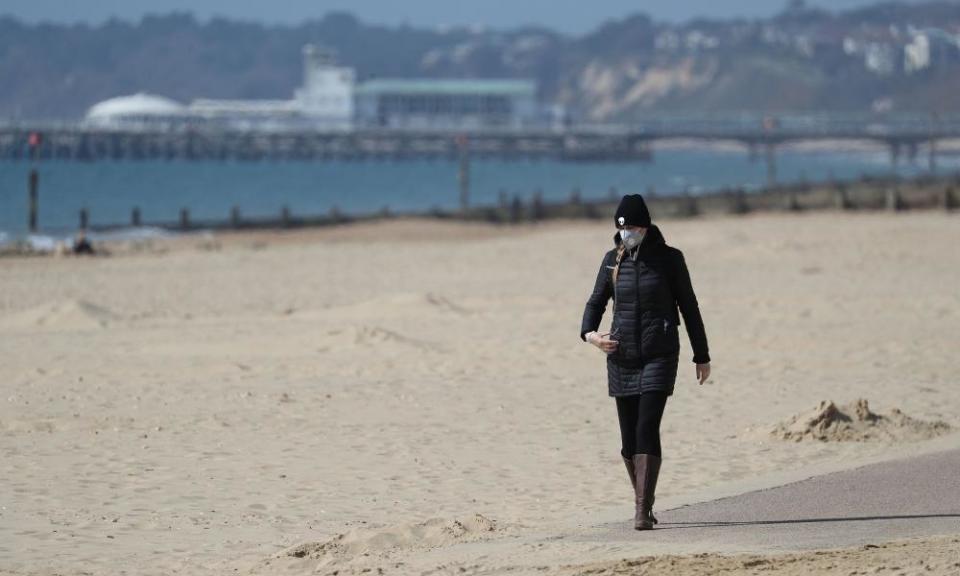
{"x": 413, "y": 397}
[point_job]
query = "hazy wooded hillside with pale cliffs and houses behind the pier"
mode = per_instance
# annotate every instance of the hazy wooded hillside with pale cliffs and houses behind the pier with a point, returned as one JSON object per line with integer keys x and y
{"x": 886, "y": 57}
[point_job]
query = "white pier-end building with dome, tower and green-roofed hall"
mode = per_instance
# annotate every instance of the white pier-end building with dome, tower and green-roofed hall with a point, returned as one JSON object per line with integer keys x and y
{"x": 331, "y": 99}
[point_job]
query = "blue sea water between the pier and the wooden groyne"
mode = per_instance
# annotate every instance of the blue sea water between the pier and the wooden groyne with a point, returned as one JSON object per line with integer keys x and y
{"x": 210, "y": 189}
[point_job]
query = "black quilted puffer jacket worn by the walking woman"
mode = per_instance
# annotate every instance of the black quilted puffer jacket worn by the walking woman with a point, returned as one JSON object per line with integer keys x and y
{"x": 652, "y": 283}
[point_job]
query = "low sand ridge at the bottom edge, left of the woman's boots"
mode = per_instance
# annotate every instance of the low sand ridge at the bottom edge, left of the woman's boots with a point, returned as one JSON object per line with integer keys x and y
{"x": 358, "y": 550}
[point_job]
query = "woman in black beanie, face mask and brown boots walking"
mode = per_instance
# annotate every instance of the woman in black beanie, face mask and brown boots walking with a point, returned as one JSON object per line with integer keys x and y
{"x": 648, "y": 281}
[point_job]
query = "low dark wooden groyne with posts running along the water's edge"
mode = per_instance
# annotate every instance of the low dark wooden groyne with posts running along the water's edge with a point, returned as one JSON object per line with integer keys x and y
{"x": 864, "y": 194}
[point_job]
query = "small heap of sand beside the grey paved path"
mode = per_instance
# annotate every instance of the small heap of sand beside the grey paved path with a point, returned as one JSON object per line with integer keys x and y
{"x": 855, "y": 423}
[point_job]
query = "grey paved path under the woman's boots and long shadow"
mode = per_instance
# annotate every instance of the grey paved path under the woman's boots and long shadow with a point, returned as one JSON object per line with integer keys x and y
{"x": 914, "y": 497}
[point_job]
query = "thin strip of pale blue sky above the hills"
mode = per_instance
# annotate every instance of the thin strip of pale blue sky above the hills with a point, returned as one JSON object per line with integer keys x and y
{"x": 570, "y": 16}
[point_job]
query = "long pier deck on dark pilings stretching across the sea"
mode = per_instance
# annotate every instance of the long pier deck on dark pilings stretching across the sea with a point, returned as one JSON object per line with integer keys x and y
{"x": 903, "y": 136}
